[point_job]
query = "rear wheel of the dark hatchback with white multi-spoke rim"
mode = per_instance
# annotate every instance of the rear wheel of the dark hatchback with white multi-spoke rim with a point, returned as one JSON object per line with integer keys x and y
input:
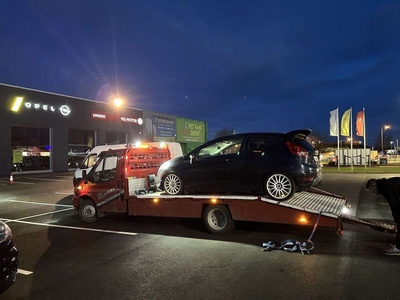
{"x": 279, "y": 186}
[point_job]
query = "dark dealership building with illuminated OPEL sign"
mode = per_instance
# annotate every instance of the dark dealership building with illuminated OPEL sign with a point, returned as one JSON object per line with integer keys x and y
{"x": 47, "y": 132}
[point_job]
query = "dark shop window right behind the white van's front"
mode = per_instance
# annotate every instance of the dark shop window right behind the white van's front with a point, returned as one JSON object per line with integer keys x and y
{"x": 80, "y": 142}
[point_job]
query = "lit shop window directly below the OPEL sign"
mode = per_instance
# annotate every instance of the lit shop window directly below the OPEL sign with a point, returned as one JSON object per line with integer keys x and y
{"x": 31, "y": 148}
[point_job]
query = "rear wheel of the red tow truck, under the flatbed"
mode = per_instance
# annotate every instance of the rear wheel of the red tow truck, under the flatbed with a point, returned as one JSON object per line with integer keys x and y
{"x": 217, "y": 219}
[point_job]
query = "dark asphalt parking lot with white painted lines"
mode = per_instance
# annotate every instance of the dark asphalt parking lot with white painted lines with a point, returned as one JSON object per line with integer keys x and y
{"x": 123, "y": 257}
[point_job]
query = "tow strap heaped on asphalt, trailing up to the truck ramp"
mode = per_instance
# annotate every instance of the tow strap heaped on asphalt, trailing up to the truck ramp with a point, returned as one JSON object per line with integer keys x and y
{"x": 292, "y": 245}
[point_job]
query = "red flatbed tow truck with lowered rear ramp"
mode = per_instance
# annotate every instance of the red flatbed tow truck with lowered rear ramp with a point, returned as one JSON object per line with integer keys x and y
{"x": 123, "y": 181}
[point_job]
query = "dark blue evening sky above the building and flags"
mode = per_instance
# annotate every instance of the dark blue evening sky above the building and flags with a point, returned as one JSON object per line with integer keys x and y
{"x": 250, "y": 65}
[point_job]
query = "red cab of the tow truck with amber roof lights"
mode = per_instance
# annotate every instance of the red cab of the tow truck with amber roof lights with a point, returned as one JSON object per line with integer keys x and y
{"x": 108, "y": 183}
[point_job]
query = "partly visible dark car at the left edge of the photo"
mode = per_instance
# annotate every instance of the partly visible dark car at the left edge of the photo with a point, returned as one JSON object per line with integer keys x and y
{"x": 8, "y": 258}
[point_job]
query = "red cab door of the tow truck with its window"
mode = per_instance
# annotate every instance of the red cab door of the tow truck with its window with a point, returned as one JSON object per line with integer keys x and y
{"x": 106, "y": 185}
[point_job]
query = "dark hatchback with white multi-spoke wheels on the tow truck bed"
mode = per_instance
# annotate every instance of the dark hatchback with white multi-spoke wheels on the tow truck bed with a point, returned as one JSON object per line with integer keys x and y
{"x": 272, "y": 164}
